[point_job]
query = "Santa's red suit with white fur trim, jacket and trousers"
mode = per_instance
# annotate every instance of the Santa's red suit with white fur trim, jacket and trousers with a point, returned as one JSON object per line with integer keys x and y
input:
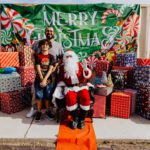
{"x": 76, "y": 88}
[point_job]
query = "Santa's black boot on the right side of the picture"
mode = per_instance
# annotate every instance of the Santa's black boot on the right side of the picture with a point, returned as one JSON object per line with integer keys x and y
{"x": 82, "y": 116}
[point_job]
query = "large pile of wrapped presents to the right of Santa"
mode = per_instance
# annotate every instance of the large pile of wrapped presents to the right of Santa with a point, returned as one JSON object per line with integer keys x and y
{"x": 122, "y": 88}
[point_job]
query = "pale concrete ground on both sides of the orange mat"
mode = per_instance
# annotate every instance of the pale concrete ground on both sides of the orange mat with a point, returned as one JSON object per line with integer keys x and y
{"x": 108, "y": 131}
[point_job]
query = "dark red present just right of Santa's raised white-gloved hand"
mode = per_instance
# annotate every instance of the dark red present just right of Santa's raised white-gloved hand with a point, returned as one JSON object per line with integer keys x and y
{"x": 101, "y": 65}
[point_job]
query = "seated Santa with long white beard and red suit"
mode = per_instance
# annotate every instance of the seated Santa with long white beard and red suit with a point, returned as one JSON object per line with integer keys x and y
{"x": 74, "y": 77}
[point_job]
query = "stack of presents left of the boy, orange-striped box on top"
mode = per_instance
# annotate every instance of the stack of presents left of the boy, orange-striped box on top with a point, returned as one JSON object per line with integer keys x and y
{"x": 17, "y": 76}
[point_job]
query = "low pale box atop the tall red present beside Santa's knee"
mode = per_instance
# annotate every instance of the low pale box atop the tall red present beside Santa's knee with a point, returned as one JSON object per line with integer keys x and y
{"x": 104, "y": 91}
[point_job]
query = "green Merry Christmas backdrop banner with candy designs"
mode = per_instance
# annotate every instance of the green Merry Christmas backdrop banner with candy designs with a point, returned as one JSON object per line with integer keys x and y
{"x": 87, "y": 29}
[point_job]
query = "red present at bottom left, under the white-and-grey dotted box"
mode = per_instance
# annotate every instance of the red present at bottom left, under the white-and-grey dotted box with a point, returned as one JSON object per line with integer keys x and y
{"x": 11, "y": 102}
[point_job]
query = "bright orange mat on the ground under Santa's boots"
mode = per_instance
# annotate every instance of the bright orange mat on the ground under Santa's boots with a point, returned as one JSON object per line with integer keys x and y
{"x": 77, "y": 139}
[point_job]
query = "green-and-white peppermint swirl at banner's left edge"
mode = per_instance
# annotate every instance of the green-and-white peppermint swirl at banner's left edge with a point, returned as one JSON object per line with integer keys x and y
{"x": 6, "y": 37}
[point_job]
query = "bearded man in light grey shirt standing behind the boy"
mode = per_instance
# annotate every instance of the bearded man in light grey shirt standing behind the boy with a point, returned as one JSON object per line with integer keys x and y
{"x": 56, "y": 50}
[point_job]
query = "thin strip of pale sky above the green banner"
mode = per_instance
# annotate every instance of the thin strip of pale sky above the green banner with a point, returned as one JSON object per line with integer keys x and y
{"x": 76, "y": 1}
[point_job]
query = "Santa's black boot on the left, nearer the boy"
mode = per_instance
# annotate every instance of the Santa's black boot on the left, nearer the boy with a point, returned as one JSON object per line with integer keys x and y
{"x": 74, "y": 122}
